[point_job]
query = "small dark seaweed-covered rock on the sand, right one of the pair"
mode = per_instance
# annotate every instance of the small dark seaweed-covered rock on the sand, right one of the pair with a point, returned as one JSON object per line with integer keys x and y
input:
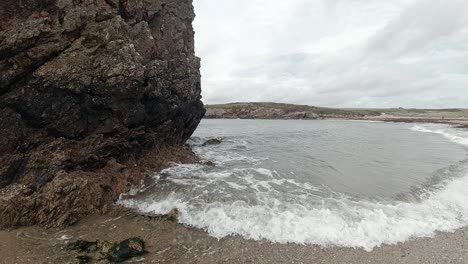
{"x": 126, "y": 249}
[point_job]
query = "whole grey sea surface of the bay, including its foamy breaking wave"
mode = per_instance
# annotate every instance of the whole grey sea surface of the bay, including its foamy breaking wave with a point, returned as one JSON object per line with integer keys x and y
{"x": 332, "y": 183}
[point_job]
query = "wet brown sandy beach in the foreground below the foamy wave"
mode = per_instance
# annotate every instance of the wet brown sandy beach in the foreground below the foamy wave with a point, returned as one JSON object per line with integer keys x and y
{"x": 169, "y": 242}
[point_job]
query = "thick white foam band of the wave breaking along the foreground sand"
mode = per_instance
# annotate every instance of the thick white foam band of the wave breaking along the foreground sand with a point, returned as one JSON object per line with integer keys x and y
{"x": 342, "y": 222}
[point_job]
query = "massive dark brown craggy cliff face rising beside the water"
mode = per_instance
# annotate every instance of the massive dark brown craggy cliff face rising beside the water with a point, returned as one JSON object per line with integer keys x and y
{"x": 86, "y": 86}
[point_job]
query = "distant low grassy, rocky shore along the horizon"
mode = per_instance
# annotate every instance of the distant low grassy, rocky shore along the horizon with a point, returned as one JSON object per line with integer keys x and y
{"x": 279, "y": 111}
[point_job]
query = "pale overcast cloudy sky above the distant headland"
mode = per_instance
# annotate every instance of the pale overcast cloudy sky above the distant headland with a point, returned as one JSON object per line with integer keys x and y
{"x": 342, "y": 53}
